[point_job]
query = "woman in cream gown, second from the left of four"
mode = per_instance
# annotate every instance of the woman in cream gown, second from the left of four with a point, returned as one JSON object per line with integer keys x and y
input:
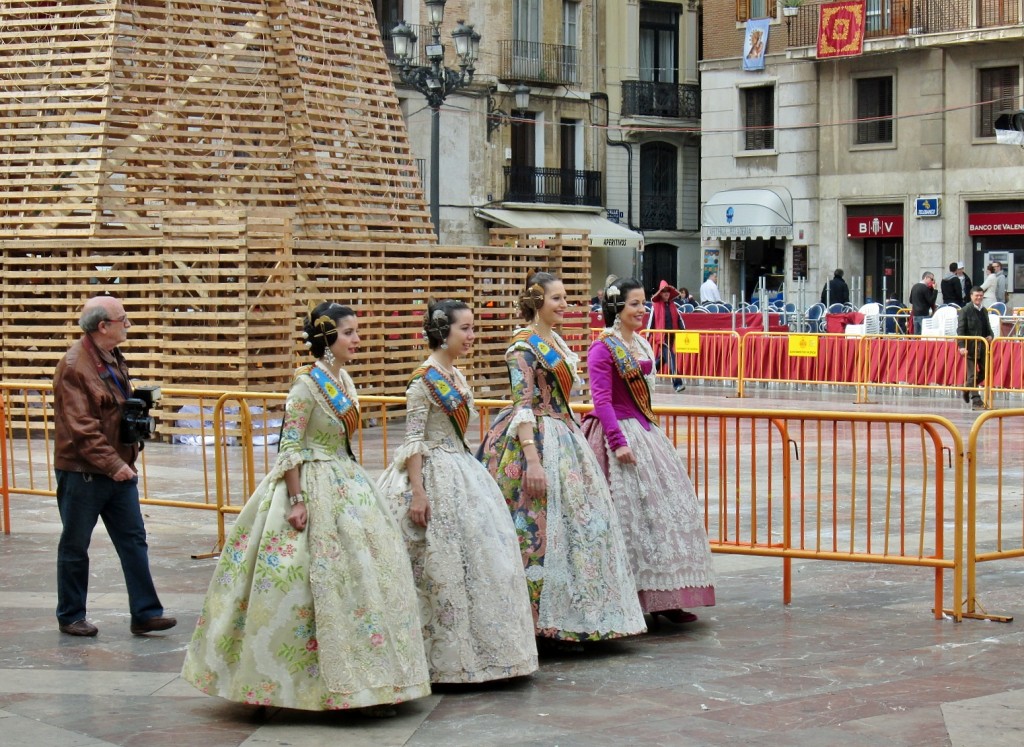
{"x": 474, "y": 604}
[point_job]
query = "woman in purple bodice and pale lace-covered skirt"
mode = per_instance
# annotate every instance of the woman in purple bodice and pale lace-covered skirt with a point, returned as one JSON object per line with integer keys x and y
{"x": 661, "y": 517}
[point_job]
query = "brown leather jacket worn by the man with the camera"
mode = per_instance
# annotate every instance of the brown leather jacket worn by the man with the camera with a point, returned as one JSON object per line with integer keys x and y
{"x": 88, "y": 411}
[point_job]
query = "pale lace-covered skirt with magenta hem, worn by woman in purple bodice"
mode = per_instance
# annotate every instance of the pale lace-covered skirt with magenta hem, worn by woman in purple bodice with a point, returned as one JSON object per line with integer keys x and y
{"x": 662, "y": 520}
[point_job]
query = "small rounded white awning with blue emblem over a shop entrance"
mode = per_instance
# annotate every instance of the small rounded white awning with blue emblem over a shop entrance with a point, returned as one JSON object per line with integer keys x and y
{"x": 748, "y": 215}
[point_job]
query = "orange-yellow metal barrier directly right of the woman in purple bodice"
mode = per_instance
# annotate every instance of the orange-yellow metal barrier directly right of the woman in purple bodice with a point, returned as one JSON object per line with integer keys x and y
{"x": 835, "y": 486}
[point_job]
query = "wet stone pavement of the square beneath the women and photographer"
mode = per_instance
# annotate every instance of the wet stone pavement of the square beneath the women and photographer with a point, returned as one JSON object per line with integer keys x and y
{"x": 857, "y": 659}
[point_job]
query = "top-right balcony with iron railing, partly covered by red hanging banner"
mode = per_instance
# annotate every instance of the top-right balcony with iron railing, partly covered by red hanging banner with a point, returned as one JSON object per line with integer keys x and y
{"x": 902, "y": 18}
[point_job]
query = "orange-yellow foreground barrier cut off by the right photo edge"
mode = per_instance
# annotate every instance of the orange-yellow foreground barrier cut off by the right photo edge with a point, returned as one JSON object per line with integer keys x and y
{"x": 994, "y": 501}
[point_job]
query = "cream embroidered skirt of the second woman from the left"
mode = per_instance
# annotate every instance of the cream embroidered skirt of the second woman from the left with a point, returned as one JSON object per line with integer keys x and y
{"x": 474, "y": 604}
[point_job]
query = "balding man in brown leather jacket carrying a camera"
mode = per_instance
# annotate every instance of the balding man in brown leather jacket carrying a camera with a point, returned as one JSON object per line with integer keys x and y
{"x": 96, "y": 472}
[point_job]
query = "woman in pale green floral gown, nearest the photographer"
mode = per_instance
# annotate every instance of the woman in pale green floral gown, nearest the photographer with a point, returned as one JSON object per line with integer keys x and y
{"x": 313, "y": 604}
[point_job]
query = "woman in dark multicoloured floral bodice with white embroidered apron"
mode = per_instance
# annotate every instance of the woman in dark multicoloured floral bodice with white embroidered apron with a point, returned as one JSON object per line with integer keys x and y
{"x": 577, "y": 565}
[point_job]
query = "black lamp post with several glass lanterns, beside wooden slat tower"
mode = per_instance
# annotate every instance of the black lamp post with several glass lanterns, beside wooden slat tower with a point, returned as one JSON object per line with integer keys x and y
{"x": 436, "y": 81}
